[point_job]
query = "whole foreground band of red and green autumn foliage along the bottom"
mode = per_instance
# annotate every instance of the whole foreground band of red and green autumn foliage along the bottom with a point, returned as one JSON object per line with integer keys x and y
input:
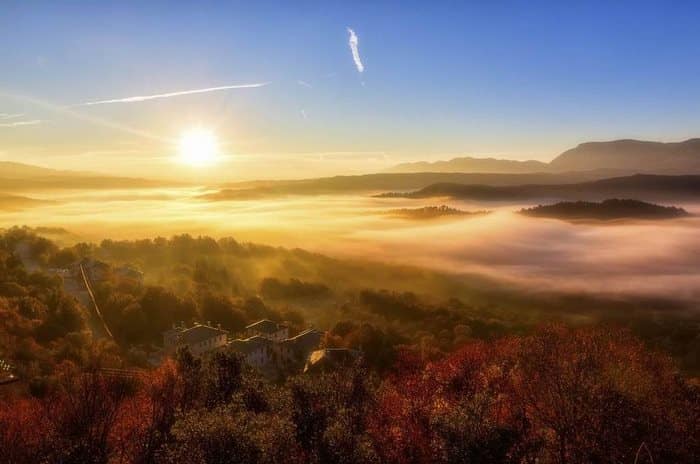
{"x": 557, "y": 396}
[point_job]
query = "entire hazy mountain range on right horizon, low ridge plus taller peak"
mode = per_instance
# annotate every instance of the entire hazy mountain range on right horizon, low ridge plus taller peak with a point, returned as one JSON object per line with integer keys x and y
{"x": 622, "y": 156}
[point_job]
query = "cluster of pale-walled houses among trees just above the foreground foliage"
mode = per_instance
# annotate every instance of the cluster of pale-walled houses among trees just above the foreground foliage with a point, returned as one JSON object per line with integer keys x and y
{"x": 265, "y": 345}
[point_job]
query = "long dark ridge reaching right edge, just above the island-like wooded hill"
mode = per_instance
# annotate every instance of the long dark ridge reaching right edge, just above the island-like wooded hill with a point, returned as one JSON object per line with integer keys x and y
{"x": 640, "y": 186}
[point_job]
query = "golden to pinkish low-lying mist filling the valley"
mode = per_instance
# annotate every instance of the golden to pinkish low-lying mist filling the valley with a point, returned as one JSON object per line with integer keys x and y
{"x": 655, "y": 258}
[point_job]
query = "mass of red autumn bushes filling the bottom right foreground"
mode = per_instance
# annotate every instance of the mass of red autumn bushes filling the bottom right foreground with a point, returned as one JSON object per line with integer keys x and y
{"x": 586, "y": 395}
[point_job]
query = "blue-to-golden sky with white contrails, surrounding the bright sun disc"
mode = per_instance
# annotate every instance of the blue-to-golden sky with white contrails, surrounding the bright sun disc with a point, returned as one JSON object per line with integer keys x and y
{"x": 320, "y": 88}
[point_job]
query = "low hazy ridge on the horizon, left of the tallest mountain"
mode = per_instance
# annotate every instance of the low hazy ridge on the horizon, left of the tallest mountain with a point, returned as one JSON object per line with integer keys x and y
{"x": 469, "y": 164}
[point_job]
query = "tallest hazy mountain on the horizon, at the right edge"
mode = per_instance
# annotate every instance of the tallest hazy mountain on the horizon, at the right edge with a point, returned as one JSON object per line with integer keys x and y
{"x": 632, "y": 155}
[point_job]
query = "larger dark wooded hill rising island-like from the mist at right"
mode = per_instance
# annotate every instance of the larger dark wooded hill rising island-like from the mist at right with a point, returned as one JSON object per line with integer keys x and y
{"x": 606, "y": 210}
